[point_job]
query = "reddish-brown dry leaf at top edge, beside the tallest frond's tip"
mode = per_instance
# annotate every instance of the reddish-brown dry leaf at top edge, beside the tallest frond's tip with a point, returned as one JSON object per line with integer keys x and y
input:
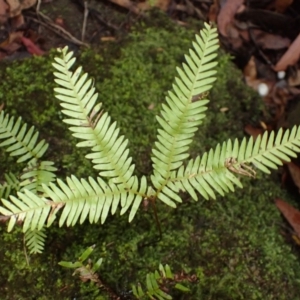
{"x": 226, "y": 15}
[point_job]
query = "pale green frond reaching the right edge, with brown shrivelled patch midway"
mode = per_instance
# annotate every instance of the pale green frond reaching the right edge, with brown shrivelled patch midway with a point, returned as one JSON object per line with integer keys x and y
{"x": 217, "y": 170}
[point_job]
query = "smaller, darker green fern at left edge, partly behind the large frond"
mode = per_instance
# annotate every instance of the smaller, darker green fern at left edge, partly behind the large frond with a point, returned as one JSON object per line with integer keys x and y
{"x": 23, "y": 143}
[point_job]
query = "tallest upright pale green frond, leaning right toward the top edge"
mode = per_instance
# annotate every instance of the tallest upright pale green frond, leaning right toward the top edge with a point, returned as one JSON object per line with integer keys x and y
{"x": 182, "y": 115}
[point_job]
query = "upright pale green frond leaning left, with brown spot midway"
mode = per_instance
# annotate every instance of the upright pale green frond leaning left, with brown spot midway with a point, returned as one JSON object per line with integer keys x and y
{"x": 88, "y": 122}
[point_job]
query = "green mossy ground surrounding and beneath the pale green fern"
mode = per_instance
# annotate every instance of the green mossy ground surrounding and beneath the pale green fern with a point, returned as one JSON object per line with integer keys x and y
{"x": 232, "y": 244}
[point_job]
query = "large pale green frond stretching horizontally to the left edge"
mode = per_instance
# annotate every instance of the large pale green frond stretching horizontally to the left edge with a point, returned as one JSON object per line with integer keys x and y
{"x": 77, "y": 199}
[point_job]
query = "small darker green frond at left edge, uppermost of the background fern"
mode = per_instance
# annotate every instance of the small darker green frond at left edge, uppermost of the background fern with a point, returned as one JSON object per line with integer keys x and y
{"x": 20, "y": 141}
